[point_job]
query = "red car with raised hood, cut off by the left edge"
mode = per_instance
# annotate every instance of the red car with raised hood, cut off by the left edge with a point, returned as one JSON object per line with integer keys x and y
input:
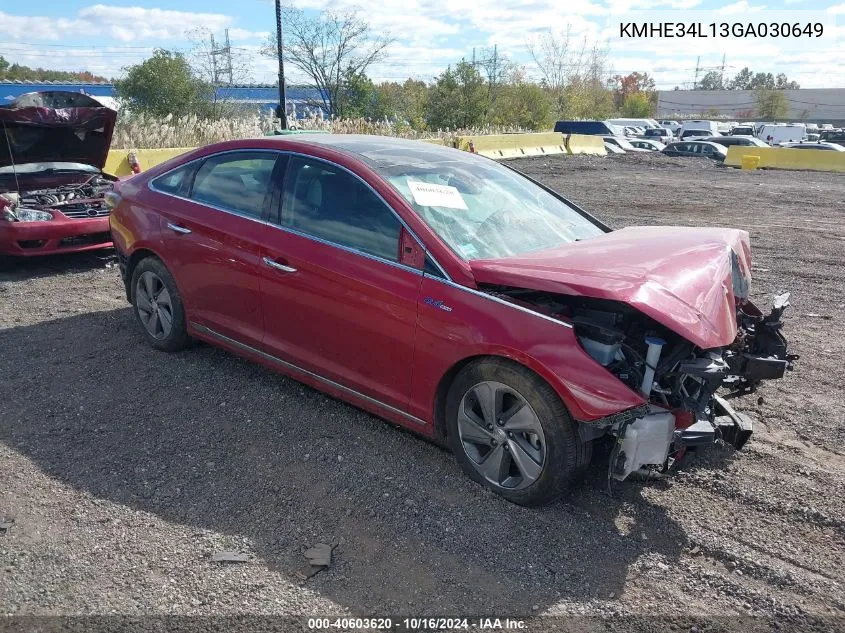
{"x": 53, "y": 146}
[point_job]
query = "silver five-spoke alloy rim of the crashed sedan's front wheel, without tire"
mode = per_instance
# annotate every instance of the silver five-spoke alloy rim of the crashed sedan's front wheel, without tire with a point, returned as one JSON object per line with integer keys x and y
{"x": 502, "y": 435}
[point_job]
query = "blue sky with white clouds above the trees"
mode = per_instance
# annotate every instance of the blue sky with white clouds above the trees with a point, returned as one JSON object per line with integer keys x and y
{"x": 428, "y": 35}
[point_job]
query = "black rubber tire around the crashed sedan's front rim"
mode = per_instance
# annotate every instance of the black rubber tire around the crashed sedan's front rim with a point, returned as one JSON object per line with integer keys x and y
{"x": 566, "y": 455}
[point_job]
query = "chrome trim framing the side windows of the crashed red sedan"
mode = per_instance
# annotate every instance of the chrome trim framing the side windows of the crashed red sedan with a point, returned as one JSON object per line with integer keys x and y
{"x": 343, "y": 247}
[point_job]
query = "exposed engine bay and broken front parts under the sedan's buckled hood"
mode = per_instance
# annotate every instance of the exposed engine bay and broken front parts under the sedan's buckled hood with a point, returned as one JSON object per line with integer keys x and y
{"x": 678, "y": 379}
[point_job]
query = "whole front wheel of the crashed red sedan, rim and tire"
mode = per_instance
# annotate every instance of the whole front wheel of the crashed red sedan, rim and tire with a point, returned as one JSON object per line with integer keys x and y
{"x": 510, "y": 432}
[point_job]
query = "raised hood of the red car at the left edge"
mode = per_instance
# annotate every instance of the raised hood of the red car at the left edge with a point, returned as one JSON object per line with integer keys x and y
{"x": 57, "y": 126}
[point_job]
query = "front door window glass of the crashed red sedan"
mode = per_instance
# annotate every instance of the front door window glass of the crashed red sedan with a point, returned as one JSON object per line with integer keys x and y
{"x": 329, "y": 203}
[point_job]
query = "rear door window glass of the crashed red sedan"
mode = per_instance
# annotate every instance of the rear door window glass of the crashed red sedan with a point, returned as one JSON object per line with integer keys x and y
{"x": 236, "y": 181}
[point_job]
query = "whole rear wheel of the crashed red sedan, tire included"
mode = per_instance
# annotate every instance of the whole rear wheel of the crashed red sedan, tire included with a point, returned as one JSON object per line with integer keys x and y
{"x": 158, "y": 305}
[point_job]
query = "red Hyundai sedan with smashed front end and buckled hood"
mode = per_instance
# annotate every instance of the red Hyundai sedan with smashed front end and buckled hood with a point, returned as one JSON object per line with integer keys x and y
{"x": 453, "y": 296}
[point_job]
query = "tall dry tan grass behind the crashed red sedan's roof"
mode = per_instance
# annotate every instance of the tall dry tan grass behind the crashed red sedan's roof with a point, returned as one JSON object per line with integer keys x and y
{"x": 139, "y": 131}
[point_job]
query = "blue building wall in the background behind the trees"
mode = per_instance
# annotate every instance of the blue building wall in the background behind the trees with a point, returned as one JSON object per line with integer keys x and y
{"x": 261, "y": 96}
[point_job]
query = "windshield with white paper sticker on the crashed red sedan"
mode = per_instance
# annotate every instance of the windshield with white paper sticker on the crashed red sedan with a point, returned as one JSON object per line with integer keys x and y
{"x": 483, "y": 210}
